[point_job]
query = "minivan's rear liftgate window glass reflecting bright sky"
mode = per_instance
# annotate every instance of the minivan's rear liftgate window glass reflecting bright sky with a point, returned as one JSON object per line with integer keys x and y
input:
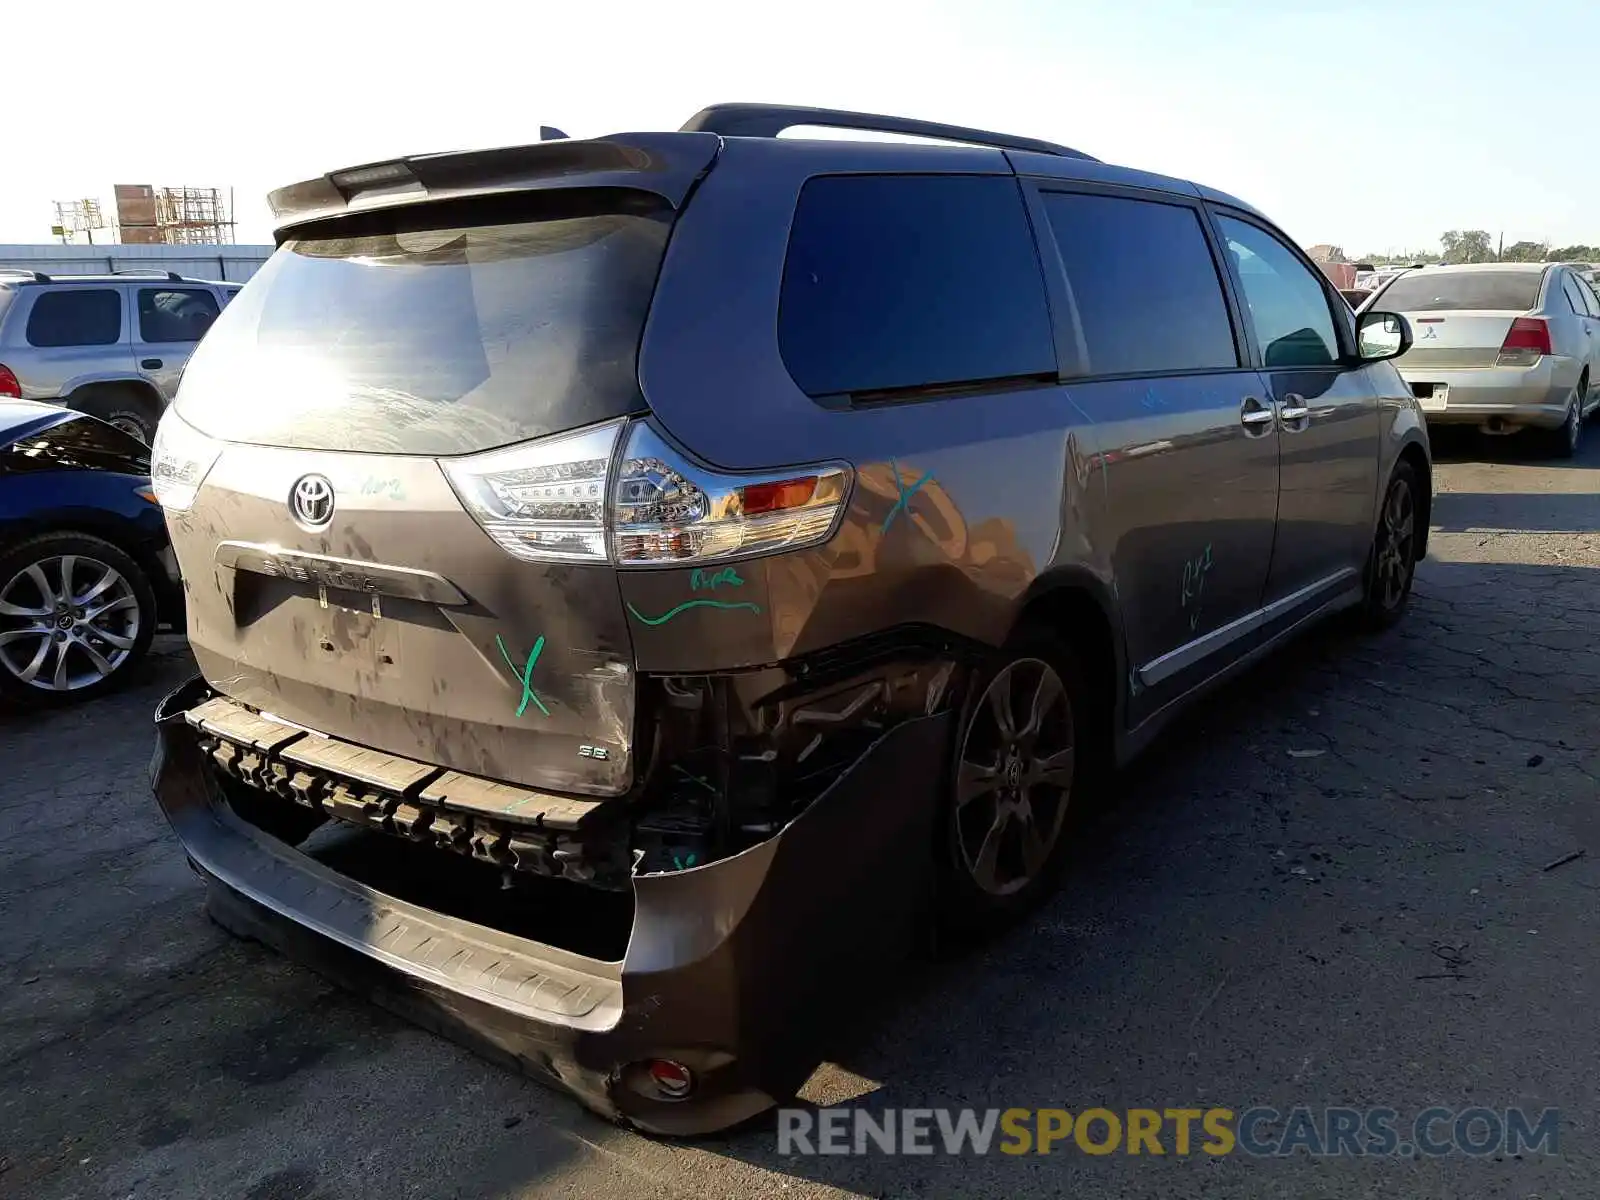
{"x": 439, "y": 330}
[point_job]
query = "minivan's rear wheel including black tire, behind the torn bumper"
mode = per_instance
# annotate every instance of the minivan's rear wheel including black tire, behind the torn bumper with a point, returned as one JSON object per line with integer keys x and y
{"x": 1020, "y": 753}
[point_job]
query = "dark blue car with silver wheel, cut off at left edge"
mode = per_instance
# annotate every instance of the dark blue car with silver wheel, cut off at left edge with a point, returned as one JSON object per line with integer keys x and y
{"x": 86, "y": 567}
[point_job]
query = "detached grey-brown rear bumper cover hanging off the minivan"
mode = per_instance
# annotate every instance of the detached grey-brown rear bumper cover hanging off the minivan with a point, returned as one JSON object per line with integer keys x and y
{"x": 738, "y": 969}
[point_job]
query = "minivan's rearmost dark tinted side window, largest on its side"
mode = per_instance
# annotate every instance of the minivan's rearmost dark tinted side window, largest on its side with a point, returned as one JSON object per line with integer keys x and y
{"x": 898, "y": 282}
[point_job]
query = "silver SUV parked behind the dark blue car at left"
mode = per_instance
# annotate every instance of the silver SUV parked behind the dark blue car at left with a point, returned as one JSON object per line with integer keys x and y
{"x": 111, "y": 346}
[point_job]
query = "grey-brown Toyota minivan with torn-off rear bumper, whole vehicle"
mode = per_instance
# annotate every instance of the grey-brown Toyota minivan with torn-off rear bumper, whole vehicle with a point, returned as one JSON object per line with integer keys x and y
{"x": 638, "y": 583}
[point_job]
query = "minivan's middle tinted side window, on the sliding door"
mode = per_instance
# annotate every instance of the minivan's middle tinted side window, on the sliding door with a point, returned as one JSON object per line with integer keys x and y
{"x": 1145, "y": 282}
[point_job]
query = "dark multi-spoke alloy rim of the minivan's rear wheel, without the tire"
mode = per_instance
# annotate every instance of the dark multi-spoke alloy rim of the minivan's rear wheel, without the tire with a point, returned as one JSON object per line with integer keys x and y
{"x": 1015, "y": 777}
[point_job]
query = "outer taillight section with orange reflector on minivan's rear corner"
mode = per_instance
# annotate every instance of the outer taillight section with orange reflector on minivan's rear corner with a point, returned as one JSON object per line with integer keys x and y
{"x": 668, "y": 510}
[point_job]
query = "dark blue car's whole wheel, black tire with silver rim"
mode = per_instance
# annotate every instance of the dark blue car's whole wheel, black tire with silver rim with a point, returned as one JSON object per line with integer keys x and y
{"x": 76, "y": 617}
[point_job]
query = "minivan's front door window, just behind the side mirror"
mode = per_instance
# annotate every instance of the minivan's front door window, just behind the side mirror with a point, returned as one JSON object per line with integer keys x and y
{"x": 1287, "y": 305}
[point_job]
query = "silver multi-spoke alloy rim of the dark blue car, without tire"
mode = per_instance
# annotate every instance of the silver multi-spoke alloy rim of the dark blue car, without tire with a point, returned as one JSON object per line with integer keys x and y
{"x": 66, "y": 623}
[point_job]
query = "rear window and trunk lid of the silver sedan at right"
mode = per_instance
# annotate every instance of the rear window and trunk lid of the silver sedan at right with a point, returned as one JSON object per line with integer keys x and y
{"x": 1458, "y": 319}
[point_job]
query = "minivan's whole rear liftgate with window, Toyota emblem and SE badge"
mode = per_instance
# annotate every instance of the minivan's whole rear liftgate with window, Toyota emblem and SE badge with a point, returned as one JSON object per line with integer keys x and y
{"x": 399, "y": 542}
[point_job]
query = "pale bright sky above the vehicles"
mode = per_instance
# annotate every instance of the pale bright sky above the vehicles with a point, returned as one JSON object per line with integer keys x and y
{"x": 1369, "y": 126}
